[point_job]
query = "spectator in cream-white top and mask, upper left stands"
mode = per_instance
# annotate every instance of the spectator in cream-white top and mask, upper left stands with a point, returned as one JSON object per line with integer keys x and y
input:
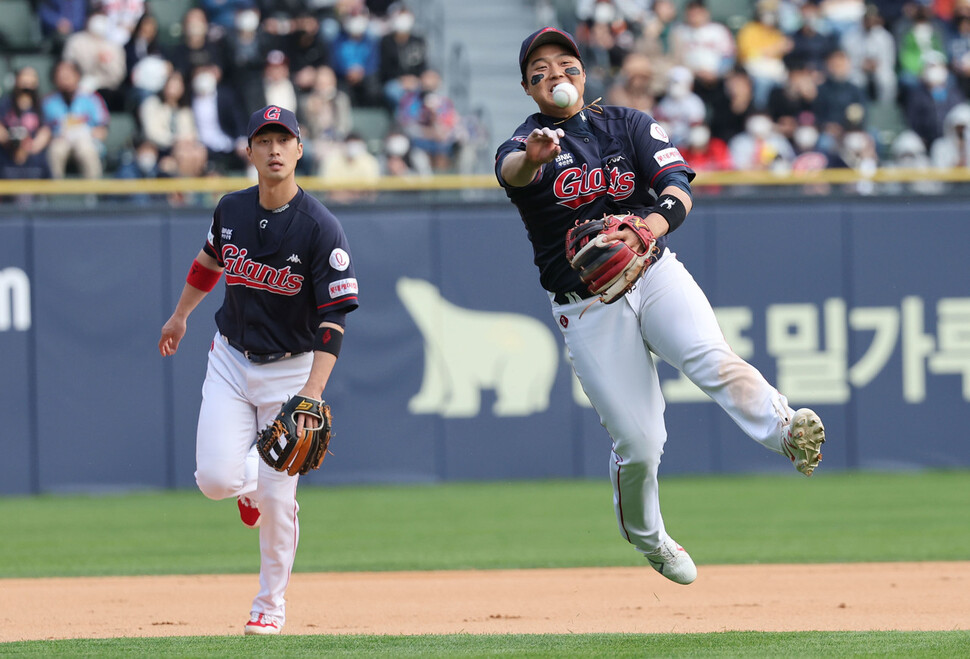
{"x": 100, "y": 60}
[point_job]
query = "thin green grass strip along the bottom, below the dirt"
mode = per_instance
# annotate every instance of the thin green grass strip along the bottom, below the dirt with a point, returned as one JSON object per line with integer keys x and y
{"x": 723, "y": 644}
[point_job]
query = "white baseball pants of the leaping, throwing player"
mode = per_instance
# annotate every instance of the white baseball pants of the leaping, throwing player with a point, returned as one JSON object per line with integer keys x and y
{"x": 610, "y": 350}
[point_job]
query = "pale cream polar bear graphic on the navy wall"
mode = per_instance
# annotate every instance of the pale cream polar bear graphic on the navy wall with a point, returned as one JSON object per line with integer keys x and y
{"x": 466, "y": 351}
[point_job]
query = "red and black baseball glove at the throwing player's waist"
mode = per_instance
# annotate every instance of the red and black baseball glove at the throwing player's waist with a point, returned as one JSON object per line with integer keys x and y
{"x": 610, "y": 268}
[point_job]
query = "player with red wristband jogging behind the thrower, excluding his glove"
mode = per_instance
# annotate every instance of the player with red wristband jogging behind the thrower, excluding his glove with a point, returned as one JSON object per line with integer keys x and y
{"x": 289, "y": 285}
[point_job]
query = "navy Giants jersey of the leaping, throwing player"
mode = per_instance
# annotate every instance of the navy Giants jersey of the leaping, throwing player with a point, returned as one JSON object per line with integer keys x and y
{"x": 616, "y": 161}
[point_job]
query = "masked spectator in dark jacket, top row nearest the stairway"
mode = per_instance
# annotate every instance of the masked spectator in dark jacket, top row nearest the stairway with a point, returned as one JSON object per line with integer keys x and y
{"x": 404, "y": 57}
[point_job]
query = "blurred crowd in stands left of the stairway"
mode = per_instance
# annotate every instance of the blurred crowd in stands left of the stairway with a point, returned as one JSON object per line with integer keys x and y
{"x": 191, "y": 98}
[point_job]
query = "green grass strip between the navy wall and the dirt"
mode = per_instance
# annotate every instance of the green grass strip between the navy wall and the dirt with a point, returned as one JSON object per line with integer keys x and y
{"x": 765, "y": 519}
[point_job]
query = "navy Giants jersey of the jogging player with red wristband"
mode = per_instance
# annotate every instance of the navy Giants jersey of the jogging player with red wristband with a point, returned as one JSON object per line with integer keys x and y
{"x": 285, "y": 270}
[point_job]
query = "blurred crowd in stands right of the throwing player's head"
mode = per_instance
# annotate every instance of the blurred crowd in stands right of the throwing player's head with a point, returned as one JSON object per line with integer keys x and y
{"x": 789, "y": 85}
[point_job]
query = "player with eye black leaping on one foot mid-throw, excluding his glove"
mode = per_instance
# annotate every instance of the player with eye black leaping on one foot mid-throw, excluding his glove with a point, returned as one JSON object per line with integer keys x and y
{"x": 572, "y": 162}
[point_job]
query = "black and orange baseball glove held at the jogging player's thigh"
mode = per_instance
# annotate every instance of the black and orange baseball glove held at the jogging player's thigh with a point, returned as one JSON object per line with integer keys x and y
{"x": 281, "y": 449}
